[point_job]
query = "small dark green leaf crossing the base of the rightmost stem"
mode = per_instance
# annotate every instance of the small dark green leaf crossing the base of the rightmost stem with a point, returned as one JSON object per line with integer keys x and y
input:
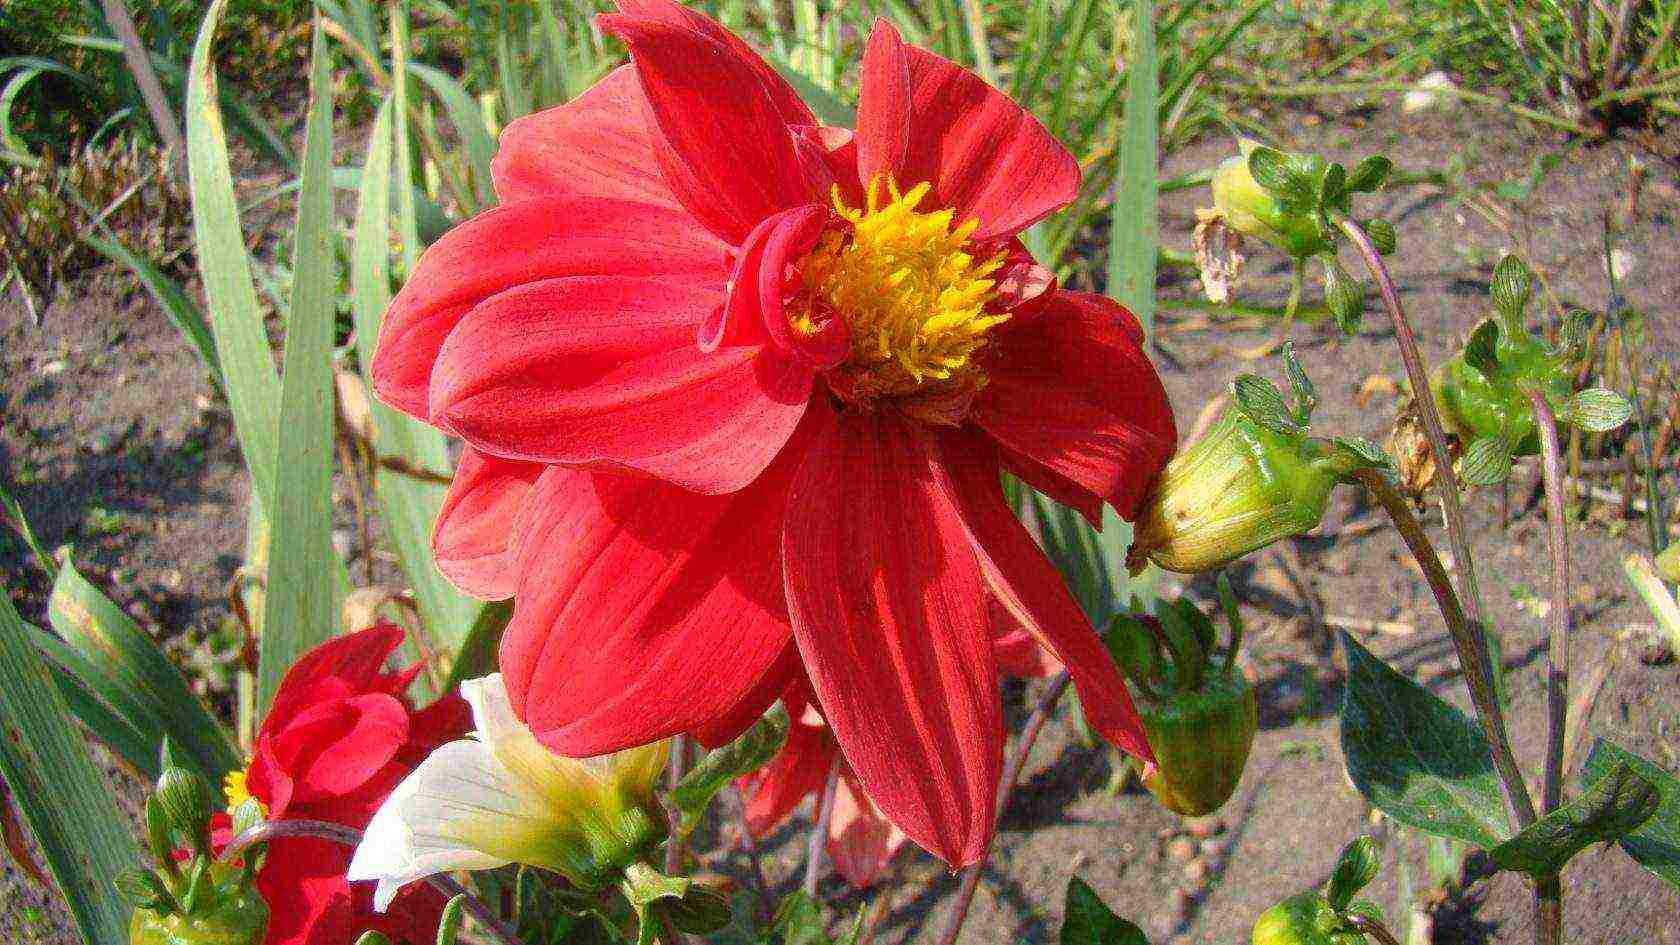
{"x": 1617, "y": 803}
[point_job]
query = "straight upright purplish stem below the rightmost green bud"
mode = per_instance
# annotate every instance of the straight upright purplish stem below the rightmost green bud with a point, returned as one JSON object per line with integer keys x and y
{"x": 1548, "y": 890}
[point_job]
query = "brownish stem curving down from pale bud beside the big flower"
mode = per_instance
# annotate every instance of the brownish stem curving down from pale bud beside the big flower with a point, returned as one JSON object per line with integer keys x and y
{"x": 1471, "y": 648}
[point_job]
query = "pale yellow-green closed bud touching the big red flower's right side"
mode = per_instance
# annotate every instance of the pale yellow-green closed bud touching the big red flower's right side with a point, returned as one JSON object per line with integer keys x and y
{"x": 1237, "y": 490}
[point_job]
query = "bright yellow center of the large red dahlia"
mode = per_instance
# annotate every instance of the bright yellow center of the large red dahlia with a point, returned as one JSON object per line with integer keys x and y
{"x": 915, "y": 298}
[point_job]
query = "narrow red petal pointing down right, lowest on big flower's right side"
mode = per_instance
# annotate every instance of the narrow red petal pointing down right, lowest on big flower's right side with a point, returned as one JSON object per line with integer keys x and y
{"x": 1032, "y": 591}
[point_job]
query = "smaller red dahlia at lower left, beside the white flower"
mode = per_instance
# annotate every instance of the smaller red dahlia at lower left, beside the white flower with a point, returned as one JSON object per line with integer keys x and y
{"x": 339, "y": 739}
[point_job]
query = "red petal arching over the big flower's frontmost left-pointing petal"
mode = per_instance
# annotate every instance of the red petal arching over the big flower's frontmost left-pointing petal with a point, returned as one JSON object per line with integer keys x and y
{"x": 525, "y": 243}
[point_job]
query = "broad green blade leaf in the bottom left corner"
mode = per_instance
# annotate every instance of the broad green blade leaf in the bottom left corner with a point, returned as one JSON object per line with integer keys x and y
{"x": 68, "y": 805}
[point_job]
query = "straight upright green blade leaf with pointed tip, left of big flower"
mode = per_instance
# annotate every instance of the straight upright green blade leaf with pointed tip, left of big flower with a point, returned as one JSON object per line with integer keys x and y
{"x": 302, "y": 608}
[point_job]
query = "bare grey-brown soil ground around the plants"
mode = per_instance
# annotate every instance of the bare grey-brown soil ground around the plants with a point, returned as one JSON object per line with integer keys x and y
{"x": 112, "y": 440}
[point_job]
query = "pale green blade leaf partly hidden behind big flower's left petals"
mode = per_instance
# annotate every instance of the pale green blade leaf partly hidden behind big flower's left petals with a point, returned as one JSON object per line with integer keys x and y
{"x": 409, "y": 505}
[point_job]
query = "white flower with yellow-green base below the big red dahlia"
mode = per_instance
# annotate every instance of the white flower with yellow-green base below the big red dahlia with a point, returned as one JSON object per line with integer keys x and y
{"x": 503, "y": 798}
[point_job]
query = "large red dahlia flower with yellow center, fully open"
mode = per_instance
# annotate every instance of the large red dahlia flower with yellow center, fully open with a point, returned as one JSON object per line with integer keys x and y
{"x": 737, "y": 393}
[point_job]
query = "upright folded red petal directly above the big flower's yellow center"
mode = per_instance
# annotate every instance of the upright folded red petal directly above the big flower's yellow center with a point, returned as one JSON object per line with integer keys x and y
{"x": 925, "y": 119}
